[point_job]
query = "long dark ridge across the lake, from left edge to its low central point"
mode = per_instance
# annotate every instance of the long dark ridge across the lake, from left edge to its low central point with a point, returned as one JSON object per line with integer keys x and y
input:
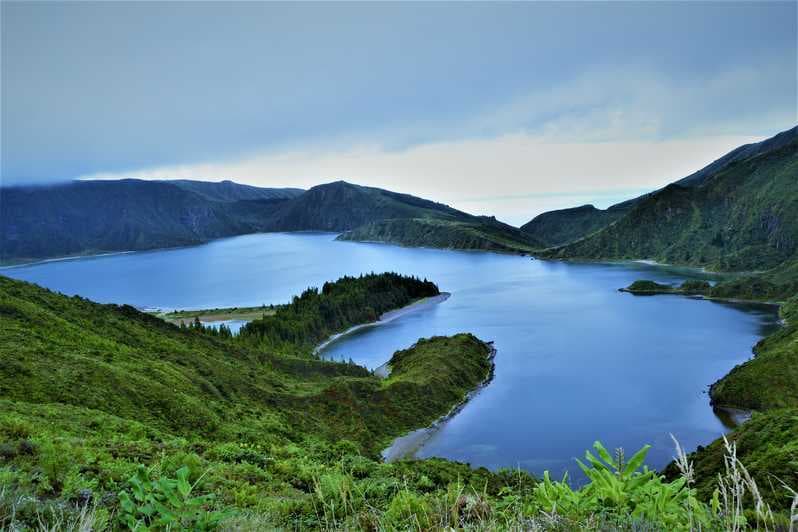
{"x": 87, "y": 217}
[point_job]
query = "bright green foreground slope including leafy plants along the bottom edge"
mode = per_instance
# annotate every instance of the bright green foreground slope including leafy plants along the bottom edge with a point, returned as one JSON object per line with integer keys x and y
{"x": 111, "y": 418}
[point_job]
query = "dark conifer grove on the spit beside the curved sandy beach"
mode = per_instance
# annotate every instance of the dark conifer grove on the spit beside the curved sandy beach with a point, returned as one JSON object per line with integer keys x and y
{"x": 316, "y": 314}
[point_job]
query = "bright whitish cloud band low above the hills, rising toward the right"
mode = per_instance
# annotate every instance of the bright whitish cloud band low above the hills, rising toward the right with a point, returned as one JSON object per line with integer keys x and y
{"x": 603, "y": 137}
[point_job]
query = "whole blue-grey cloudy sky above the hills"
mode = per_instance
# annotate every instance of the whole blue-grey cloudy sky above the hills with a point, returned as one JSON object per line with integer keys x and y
{"x": 495, "y": 108}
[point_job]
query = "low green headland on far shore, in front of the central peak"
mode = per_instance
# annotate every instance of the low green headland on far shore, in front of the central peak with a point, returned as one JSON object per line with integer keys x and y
{"x": 482, "y": 233}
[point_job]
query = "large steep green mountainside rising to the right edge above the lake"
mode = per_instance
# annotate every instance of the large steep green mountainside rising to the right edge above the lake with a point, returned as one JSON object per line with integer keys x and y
{"x": 741, "y": 216}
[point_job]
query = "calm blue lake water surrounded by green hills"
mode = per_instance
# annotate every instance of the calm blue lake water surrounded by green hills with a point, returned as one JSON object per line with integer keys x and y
{"x": 576, "y": 360}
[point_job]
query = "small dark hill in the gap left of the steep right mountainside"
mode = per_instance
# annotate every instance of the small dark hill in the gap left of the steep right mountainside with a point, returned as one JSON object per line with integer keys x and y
{"x": 555, "y": 228}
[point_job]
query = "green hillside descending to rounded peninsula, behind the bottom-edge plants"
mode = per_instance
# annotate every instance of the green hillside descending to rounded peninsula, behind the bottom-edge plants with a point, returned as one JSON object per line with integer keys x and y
{"x": 90, "y": 391}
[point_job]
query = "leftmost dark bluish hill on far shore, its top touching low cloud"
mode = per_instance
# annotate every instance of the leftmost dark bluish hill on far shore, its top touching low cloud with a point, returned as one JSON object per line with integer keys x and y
{"x": 84, "y": 217}
